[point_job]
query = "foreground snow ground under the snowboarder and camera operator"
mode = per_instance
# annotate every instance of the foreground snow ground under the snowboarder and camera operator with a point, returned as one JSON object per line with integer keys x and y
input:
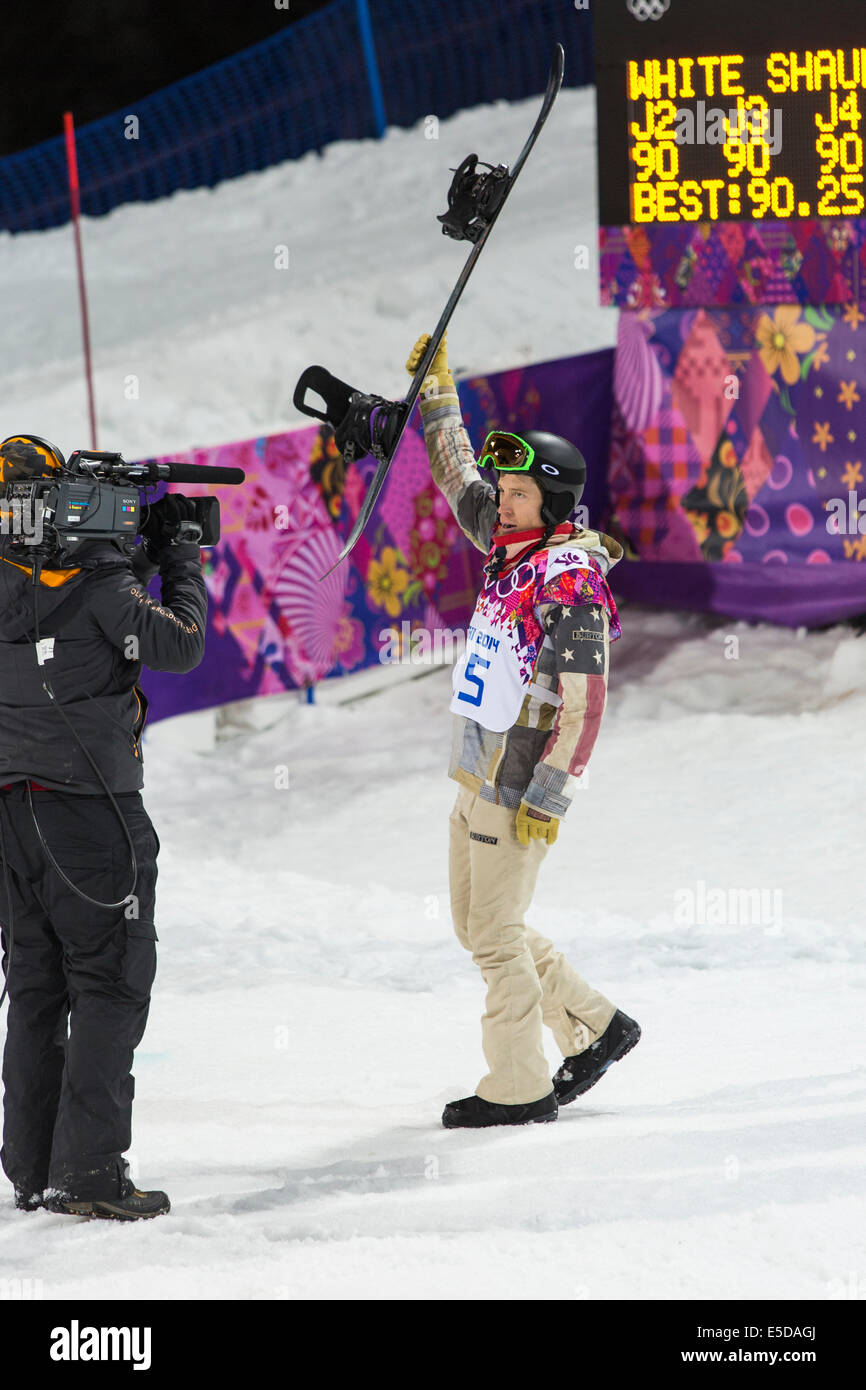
{"x": 313, "y": 1011}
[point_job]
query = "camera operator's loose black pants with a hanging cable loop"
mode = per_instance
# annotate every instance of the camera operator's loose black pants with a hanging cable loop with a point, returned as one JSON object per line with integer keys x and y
{"x": 79, "y": 986}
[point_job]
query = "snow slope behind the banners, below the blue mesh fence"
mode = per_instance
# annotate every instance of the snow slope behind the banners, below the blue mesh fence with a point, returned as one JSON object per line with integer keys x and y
{"x": 199, "y": 337}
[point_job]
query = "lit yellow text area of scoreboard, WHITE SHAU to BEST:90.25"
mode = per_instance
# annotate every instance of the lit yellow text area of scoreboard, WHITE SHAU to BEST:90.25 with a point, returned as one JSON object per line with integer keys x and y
{"x": 729, "y": 136}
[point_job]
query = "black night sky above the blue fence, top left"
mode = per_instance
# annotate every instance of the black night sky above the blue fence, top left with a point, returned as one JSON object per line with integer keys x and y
{"x": 95, "y": 56}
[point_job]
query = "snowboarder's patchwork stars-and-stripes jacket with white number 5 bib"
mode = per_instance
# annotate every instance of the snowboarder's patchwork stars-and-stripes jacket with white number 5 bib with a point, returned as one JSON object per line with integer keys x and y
{"x": 558, "y": 618}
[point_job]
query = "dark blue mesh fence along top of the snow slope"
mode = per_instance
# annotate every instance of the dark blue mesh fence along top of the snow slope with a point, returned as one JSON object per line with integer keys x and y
{"x": 300, "y": 91}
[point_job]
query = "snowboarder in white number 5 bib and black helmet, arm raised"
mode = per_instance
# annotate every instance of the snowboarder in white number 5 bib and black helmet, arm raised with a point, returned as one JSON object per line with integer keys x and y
{"x": 529, "y": 696}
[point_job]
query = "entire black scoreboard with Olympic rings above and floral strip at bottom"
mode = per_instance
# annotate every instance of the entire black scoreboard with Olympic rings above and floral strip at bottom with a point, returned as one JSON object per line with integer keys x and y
{"x": 749, "y": 112}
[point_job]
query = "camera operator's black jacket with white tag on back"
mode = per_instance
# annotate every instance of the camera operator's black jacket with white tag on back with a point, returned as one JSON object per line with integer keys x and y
{"x": 105, "y": 628}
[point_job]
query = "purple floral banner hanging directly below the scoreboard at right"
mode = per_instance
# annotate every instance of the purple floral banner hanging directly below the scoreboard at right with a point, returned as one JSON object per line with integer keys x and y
{"x": 740, "y": 437}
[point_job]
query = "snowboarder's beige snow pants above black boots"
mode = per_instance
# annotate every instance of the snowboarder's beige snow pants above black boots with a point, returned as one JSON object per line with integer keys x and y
{"x": 529, "y": 983}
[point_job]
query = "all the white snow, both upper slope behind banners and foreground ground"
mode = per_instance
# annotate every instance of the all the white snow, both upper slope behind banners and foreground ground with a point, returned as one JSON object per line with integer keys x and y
{"x": 313, "y": 1011}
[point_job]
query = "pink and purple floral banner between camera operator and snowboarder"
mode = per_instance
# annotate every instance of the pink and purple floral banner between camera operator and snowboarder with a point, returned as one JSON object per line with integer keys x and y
{"x": 275, "y": 623}
